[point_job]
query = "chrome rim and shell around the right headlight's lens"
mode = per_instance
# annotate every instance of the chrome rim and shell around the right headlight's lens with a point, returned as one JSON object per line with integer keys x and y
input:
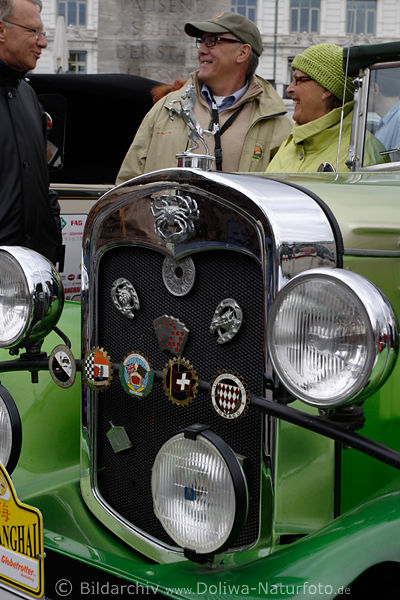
{"x": 379, "y": 318}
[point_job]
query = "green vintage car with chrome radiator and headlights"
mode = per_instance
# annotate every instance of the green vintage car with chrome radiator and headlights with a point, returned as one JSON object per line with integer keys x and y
{"x": 220, "y": 415}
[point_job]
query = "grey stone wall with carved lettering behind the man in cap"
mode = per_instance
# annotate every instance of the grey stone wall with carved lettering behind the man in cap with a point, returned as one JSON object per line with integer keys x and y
{"x": 147, "y": 38}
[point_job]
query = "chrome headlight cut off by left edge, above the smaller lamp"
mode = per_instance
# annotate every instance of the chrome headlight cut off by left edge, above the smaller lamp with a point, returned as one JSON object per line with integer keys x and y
{"x": 31, "y": 297}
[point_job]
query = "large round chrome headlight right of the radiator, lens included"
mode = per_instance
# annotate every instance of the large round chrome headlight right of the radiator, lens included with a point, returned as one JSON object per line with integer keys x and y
{"x": 332, "y": 337}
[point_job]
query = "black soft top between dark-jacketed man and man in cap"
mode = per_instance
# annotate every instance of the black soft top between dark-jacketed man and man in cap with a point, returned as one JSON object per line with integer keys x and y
{"x": 103, "y": 113}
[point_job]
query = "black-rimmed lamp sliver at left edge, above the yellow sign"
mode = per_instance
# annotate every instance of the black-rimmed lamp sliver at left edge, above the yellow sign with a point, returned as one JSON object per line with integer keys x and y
{"x": 10, "y": 431}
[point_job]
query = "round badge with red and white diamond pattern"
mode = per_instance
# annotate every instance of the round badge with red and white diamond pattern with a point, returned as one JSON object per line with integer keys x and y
{"x": 229, "y": 396}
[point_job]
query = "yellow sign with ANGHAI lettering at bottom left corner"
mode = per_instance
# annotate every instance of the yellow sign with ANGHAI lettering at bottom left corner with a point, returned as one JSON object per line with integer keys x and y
{"x": 21, "y": 542}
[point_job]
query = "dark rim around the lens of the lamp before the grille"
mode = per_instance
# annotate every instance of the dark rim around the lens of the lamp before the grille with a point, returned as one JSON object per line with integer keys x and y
{"x": 239, "y": 485}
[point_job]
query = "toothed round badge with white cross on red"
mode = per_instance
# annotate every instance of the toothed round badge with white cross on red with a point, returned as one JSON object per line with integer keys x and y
{"x": 180, "y": 381}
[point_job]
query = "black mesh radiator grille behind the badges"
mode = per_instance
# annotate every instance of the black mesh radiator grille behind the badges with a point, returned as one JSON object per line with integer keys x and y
{"x": 124, "y": 478}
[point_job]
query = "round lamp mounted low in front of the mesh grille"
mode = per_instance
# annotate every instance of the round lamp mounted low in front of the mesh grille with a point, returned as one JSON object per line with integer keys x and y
{"x": 199, "y": 492}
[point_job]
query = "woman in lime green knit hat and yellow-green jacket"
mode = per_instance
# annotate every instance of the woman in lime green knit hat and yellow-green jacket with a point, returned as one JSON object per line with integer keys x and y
{"x": 319, "y": 89}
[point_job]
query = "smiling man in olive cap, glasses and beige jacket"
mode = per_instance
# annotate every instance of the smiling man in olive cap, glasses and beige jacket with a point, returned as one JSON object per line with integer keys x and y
{"x": 249, "y": 116}
